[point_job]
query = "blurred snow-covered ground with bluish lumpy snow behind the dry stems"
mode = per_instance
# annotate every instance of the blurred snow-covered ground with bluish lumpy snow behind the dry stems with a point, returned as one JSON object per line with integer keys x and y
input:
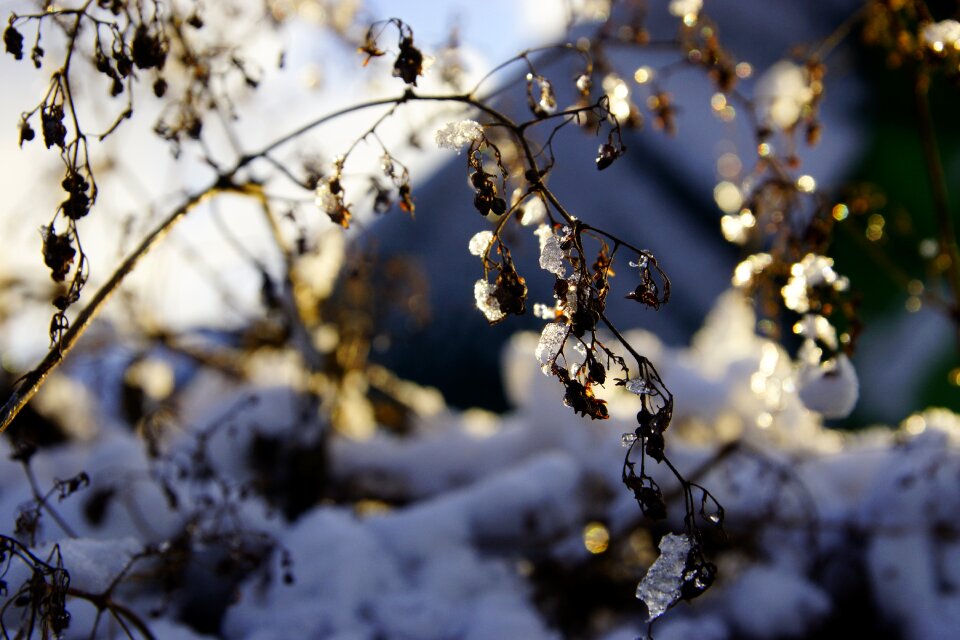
{"x": 470, "y": 506}
